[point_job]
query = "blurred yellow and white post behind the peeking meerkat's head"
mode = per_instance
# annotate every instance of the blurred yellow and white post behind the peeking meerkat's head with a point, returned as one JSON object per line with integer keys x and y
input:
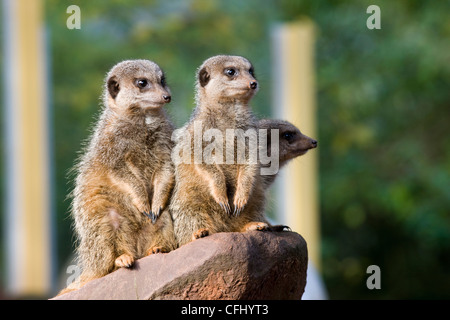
{"x": 294, "y": 101}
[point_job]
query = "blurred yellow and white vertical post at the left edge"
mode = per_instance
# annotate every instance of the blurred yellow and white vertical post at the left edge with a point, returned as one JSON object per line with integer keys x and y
{"x": 27, "y": 198}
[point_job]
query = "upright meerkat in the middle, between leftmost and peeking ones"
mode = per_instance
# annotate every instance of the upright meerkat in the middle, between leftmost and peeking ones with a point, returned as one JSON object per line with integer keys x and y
{"x": 218, "y": 197}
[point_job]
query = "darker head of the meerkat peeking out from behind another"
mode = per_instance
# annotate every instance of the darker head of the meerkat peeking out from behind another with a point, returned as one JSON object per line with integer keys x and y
{"x": 292, "y": 143}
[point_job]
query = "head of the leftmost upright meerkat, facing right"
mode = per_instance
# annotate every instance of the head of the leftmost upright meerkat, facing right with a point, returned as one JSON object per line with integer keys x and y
{"x": 136, "y": 85}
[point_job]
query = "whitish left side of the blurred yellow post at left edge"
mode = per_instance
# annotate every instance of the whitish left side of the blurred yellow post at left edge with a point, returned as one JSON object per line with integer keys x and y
{"x": 13, "y": 206}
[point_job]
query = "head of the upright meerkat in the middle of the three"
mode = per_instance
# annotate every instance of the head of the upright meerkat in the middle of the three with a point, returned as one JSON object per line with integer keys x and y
{"x": 226, "y": 78}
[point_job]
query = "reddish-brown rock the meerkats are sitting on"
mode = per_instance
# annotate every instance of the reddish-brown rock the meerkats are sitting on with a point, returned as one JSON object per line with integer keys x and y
{"x": 252, "y": 265}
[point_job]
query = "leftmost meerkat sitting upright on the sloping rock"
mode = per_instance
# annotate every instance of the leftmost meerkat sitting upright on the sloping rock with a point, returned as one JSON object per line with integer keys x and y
{"x": 125, "y": 175}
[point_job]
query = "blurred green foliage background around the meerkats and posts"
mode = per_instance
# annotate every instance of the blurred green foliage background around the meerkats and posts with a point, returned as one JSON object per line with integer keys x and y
{"x": 383, "y": 113}
